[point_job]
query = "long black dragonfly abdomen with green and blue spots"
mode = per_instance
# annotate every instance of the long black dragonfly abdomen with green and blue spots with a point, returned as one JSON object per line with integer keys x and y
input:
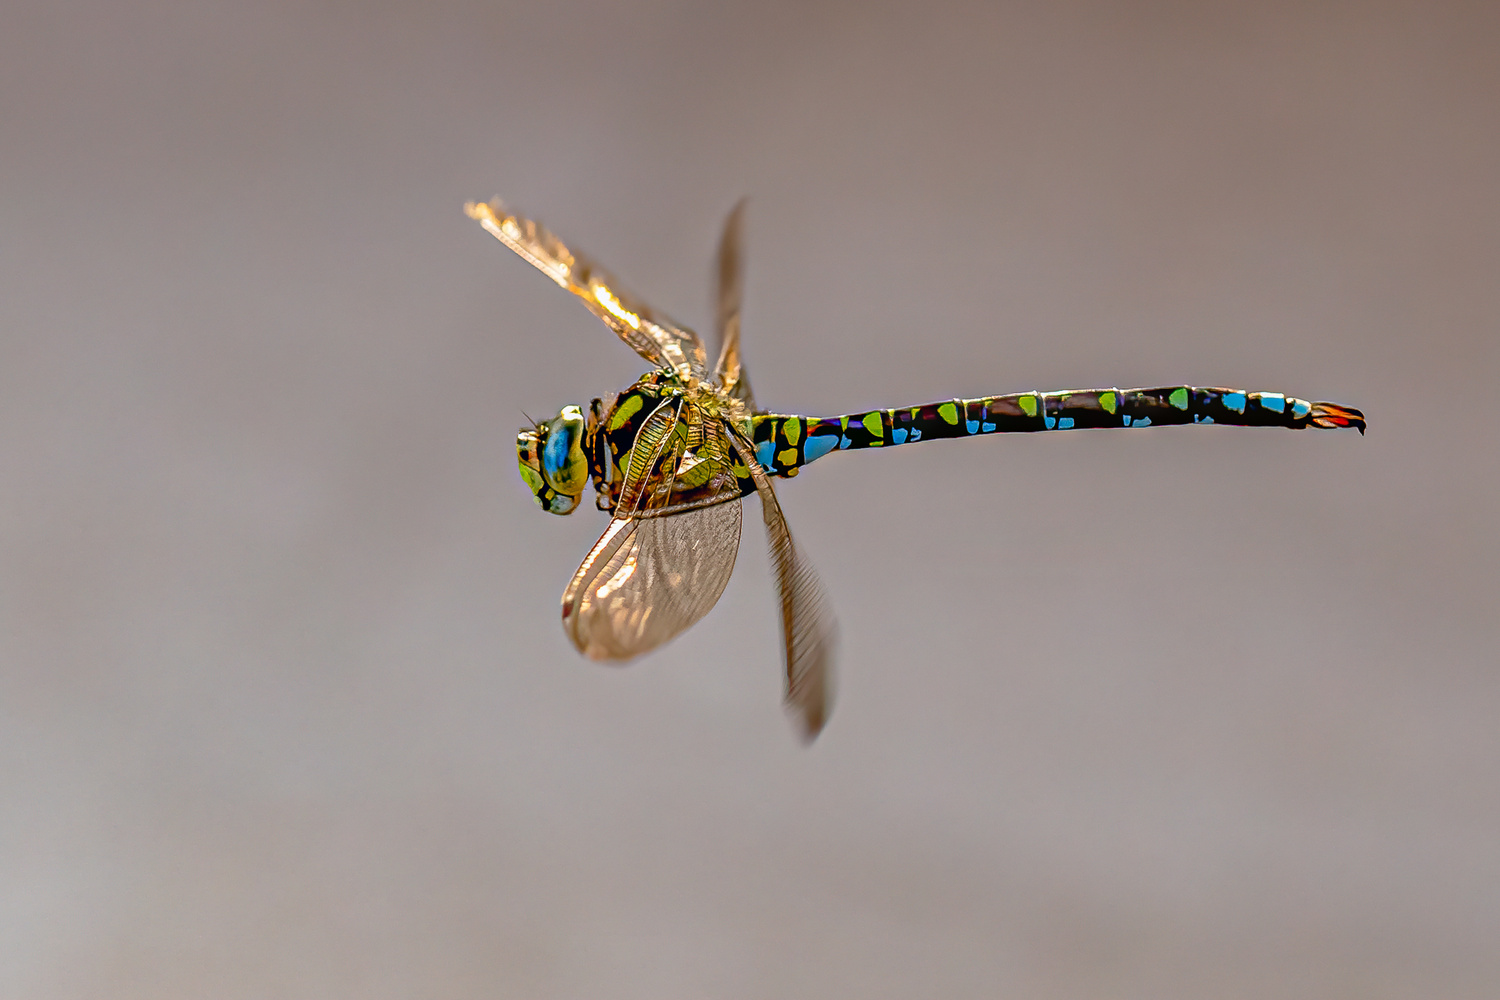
{"x": 787, "y": 443}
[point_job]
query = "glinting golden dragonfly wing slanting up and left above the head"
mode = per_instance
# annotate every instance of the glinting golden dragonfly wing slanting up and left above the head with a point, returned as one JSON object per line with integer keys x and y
{"x": 650, "y": 334}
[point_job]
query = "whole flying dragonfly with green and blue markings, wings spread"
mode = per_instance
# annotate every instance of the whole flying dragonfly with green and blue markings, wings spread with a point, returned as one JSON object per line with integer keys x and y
{"x": 673, "y": 457}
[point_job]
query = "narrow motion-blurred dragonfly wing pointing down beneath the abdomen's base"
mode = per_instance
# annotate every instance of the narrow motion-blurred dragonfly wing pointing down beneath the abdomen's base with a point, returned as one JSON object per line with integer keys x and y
{"x": 808, "y": 627}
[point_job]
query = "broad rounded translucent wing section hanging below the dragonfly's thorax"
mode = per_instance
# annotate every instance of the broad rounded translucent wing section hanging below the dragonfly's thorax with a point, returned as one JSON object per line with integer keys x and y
{"x": 649, "y": 579}
